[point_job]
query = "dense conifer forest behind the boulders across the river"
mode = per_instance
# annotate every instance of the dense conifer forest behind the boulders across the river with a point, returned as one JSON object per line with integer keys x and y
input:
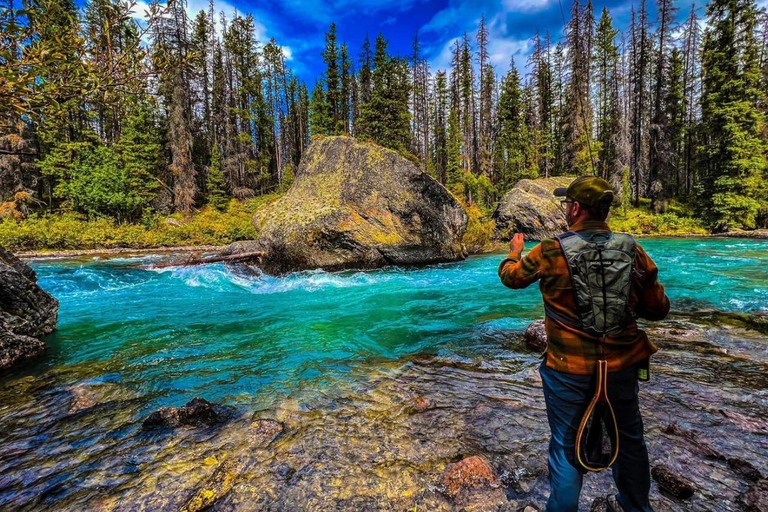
{"x": 105, "y": 116}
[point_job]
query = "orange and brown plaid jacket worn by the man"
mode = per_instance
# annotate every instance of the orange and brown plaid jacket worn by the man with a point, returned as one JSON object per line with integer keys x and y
{"x": 569, "y": 349}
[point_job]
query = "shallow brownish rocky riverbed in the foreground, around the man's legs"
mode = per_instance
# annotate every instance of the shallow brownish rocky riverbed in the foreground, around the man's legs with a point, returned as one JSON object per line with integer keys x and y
{"x": 461, "y": 430}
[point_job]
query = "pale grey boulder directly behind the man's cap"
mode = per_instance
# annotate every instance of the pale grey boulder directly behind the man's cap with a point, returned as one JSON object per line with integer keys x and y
{"x": 532, "y": 209}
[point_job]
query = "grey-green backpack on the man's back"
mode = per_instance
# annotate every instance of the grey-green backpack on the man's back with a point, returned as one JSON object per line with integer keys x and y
{"x": 601, "y": 268}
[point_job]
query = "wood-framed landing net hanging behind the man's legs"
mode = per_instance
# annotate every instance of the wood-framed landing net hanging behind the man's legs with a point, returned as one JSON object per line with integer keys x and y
{"x": 597, "y": 440}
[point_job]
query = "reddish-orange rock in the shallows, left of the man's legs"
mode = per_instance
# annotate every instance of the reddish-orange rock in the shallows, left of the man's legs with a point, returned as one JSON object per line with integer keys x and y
{"x": 464, "y": 480}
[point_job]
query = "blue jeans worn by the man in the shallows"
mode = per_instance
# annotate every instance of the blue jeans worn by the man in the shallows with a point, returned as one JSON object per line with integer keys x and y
{"x": 567, "y": 397}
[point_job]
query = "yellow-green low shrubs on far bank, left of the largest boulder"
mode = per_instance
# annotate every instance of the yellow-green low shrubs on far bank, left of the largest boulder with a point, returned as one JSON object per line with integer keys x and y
{"x": 70, "y": 231}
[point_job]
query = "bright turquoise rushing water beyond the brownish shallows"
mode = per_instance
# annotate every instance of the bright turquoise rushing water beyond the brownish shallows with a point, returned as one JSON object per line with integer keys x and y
{"x": 171, "y": 333}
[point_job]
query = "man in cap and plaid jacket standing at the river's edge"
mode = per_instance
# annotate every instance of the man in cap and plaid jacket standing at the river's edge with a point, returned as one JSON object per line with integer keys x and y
{"x": 568, "y": 372}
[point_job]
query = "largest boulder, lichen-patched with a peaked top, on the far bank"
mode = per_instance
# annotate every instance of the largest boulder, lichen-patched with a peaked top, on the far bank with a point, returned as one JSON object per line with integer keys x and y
{"x": 357, "y": 205}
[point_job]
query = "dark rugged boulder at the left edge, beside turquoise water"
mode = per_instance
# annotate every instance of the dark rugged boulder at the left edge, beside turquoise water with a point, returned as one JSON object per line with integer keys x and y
{"x": 27, "y": 312}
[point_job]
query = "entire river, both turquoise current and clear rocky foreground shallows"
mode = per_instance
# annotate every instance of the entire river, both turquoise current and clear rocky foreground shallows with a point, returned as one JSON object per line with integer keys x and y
{"x": 339, "y": 359}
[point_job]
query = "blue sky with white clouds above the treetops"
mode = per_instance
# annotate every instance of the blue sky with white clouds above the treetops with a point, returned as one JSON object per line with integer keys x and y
{"x": 299, "y": 25}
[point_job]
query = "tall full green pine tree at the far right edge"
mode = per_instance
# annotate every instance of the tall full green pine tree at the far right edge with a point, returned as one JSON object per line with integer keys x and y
{"x": 734, "y": 160}
